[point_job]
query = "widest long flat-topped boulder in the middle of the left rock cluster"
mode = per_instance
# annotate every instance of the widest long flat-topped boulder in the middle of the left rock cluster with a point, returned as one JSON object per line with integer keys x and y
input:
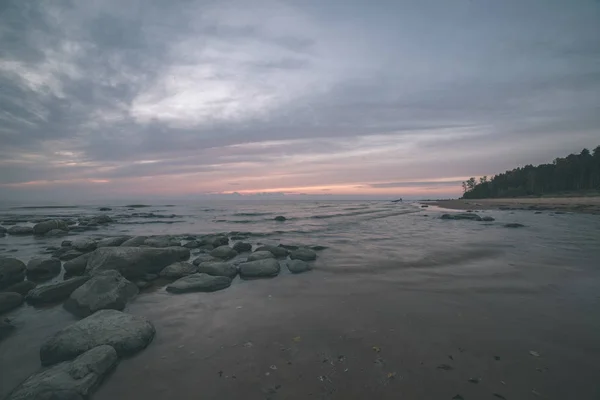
{"x": 134, "y": 262}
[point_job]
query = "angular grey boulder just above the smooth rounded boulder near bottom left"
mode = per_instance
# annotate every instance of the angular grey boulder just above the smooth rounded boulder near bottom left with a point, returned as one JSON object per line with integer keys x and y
{"x": 105, "y": 290}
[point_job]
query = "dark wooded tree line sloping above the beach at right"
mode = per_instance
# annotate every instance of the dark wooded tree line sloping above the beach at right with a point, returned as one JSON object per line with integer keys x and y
{"x": 574, "y": 173}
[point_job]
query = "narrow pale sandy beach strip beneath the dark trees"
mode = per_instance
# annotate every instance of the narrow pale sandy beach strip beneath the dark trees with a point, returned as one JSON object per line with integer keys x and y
{"x": 584, "y": 205}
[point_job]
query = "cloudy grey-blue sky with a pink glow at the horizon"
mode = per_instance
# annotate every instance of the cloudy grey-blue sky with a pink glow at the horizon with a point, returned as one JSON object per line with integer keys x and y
{"x": 245, "y": 98}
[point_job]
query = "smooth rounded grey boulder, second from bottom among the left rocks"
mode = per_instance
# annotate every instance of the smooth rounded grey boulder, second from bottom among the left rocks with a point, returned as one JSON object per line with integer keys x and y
{"x": 127, "y": 333}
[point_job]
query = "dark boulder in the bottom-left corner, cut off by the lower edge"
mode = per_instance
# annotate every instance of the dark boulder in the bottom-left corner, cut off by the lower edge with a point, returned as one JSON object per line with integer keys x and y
{"x": 70, "y": 380}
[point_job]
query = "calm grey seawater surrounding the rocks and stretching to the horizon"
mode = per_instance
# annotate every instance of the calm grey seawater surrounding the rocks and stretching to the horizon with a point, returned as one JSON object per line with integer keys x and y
{"x": 393, "y": 276}
